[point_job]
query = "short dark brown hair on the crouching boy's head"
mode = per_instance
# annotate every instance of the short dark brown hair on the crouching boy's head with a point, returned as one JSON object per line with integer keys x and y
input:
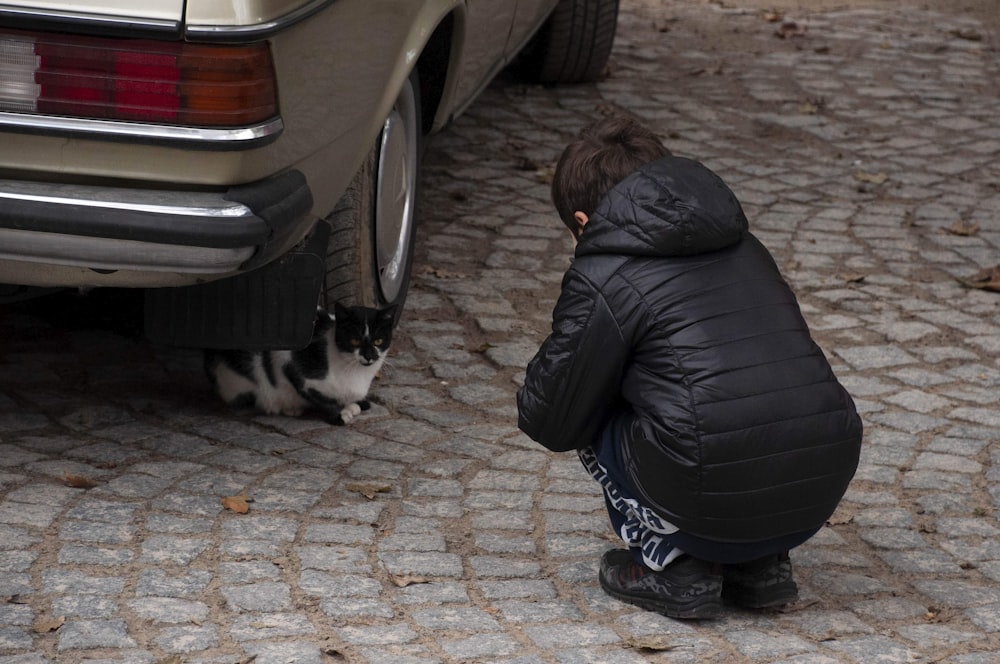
{"x": 604, "y": 154}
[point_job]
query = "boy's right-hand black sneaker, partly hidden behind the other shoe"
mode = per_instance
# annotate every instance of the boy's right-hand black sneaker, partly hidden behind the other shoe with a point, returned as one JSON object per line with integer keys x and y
{"x": 760, "y": 584}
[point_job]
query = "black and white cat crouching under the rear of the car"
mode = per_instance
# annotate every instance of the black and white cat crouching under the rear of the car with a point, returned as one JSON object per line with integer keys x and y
{"x": 332, "y": 374}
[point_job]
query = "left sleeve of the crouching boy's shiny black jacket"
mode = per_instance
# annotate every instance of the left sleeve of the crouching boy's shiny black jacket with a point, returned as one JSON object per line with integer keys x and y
{"x": 573, "y": 382}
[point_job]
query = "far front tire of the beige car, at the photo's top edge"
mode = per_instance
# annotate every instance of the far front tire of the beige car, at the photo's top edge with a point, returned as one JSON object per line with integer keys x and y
{"x": 573, "y": 45}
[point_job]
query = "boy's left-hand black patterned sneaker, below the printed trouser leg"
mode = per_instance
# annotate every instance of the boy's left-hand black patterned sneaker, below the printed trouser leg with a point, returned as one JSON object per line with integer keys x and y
{"x": 687, "y": 588}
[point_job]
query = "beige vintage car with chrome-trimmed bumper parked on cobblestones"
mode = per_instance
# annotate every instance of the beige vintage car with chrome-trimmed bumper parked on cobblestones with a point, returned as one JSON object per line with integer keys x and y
{"x": 244, "y": 160}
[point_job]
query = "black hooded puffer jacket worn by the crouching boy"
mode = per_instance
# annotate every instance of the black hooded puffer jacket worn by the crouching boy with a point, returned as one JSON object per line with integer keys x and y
{"x": 675, "y": 320}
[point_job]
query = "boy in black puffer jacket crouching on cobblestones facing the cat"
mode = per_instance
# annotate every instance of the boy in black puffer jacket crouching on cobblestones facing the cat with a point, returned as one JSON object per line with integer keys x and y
{"x": 681, "y": 370}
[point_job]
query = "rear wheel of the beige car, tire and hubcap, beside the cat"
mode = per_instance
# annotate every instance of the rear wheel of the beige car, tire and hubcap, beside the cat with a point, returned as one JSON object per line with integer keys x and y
{"x": 370, "y": 251}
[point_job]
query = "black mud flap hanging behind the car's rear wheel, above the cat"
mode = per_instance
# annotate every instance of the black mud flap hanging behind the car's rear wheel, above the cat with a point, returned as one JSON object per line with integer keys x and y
{"x": 273, "y": 307}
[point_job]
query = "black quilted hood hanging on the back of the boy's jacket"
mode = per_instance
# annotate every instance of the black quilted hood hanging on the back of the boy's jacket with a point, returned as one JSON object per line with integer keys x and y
{"x": 670, "y": 207}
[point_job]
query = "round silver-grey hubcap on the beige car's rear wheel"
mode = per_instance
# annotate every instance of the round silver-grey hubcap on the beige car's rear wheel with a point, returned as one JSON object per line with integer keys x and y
{"x": 395, "y": 194}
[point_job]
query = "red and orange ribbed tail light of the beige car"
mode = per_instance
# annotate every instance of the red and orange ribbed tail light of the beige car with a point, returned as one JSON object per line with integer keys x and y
{"x": 137, "y": 80}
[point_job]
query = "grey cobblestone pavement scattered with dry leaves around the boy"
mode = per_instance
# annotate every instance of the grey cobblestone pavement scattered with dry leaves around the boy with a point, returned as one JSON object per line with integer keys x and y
{"x": 864, "y": 146}
